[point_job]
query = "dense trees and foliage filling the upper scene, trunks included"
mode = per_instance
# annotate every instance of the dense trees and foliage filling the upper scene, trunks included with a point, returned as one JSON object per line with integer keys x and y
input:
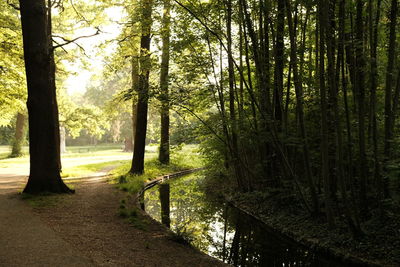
{"x": 288, "y": 99}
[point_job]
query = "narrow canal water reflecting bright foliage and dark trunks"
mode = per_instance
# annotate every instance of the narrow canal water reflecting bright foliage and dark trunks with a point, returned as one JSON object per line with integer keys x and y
{"x": 222, "y": 231}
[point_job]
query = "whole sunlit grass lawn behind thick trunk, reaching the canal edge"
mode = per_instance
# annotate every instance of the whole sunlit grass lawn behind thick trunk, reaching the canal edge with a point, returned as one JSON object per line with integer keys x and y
{"x": 84, "y": 161}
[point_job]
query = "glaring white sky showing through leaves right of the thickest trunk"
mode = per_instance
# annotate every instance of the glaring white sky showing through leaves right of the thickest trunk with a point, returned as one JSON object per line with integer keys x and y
{"x": 80, "y": 76}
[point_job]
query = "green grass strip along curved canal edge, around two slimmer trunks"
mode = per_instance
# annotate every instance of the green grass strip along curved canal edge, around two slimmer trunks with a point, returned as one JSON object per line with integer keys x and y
{"x": 182, "y": 158}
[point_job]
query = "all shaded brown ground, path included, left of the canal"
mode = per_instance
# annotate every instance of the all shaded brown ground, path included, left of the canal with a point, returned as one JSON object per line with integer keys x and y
{"x": 85, "y": 229}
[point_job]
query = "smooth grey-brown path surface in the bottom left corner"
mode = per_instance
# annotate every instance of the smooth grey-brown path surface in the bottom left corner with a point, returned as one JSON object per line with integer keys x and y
{"x": 26, "y": 241}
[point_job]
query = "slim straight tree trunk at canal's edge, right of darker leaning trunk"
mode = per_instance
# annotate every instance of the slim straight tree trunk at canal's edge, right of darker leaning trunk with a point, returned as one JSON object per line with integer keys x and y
{"x": 163, "y": 155}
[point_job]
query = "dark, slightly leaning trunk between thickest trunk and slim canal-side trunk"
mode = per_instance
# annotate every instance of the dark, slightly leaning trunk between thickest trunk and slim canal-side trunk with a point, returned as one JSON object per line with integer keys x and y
{"x": 143, "y": 88}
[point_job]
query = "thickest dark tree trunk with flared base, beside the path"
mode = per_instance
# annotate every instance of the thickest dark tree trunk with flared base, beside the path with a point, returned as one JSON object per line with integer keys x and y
{"x": 44, "y": 135}
